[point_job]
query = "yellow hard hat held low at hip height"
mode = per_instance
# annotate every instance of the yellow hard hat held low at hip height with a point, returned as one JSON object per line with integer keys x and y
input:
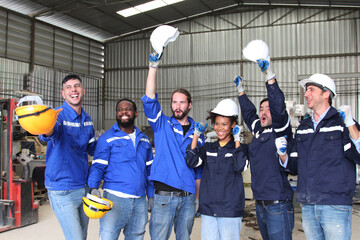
{"x": 95, "y": 207}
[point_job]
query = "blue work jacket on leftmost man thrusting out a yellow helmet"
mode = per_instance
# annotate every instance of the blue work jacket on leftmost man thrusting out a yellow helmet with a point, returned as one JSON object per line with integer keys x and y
{"x": 67, "y": 150}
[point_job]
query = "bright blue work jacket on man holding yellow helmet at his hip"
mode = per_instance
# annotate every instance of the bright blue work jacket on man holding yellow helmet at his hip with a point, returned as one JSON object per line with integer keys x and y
{"x": 123, "y": 166}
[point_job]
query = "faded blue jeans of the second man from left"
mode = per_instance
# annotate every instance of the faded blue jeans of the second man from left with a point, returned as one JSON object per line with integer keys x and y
{"x": 129, "y": 214}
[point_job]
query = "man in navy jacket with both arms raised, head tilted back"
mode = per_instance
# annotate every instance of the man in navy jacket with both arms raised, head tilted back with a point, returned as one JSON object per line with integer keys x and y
{"x": 269, "y": 183}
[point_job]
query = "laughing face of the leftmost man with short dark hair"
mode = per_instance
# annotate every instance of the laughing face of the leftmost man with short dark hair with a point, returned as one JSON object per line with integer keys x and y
{"x": 73, "y": 92}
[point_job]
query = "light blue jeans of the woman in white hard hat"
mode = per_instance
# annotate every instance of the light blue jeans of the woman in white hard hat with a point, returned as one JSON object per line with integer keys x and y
{"x": 216, "y": 228}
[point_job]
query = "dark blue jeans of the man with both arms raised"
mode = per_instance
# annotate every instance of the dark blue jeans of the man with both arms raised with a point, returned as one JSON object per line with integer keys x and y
{"x": 275, "y": 221}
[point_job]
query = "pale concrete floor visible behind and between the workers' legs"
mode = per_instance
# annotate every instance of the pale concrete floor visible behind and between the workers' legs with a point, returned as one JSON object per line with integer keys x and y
{"x": 48, "y": 227}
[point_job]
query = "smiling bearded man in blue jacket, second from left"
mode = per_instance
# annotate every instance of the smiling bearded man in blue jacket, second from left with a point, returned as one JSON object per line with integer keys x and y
{"x": 123, "y": 158}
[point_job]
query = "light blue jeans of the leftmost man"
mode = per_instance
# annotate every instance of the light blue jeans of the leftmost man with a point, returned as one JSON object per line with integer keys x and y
{"x": 68, "y": 208}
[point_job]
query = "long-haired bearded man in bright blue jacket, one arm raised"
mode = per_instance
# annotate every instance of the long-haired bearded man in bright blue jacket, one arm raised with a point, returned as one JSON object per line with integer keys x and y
{"x": 174, "y": 181}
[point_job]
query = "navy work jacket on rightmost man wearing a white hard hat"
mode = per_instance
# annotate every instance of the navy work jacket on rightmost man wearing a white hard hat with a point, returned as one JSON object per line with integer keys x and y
{"x": 324, "y": 158}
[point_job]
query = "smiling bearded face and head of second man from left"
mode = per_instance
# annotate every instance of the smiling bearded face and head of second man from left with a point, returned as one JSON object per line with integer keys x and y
{"x": 125, "y": 114}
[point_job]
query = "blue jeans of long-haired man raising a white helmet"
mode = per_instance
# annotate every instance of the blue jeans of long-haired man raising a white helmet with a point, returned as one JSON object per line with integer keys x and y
{"x": 168, "y": 211}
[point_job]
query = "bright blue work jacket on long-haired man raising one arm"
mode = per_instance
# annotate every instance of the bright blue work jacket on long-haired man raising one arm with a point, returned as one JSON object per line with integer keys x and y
{"x": 169, "y": 164}
